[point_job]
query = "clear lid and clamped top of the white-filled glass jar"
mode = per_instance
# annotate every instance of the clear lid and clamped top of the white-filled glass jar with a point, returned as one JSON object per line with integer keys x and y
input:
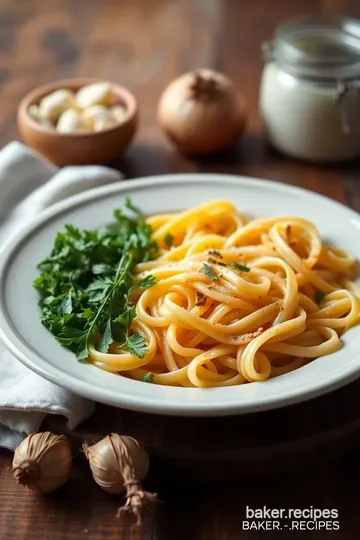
{"x": 319, "y": 48}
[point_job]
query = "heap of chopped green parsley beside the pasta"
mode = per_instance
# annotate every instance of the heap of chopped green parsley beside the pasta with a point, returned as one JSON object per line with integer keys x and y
{"x": 86, "y": 282}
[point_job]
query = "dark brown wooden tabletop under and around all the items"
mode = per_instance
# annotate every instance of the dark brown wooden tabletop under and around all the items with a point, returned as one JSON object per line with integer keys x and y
{"x": 144, "y": 44}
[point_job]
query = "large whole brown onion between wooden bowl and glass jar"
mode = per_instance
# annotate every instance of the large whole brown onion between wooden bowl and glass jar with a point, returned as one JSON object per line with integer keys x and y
{"x": 201, "y": 112}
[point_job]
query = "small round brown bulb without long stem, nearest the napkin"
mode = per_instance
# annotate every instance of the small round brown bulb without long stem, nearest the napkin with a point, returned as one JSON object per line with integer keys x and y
{"x": 42, "y": 462}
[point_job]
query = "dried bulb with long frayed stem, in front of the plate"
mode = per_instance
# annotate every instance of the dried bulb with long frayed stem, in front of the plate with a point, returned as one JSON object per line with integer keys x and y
{"x": 118, "y": 463}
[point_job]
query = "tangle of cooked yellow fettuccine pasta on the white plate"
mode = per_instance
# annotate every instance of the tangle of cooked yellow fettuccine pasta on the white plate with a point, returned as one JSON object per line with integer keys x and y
{"x": 236, "y": 300}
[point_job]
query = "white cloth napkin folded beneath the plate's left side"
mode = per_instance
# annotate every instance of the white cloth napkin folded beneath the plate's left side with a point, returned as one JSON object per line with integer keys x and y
{"x": 28, "y": 185}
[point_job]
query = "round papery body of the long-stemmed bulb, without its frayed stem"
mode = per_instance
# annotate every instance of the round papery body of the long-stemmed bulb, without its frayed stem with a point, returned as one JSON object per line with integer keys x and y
{"x": 115, "y": 460}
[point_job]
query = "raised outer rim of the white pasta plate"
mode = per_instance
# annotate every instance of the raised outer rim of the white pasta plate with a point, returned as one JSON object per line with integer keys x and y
{"x": 86, "y": 389}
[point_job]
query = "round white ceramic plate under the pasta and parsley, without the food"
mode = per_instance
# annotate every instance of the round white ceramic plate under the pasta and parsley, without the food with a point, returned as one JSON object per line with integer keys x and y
{"x": 23, "y": 333}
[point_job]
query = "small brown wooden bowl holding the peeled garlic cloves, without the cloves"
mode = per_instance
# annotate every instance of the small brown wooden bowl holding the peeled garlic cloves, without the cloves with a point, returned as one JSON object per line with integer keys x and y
{"x": 81, "y": 148}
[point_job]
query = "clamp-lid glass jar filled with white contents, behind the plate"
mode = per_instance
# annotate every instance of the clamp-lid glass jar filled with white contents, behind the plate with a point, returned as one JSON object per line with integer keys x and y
{"x": 310, "y": 89}
